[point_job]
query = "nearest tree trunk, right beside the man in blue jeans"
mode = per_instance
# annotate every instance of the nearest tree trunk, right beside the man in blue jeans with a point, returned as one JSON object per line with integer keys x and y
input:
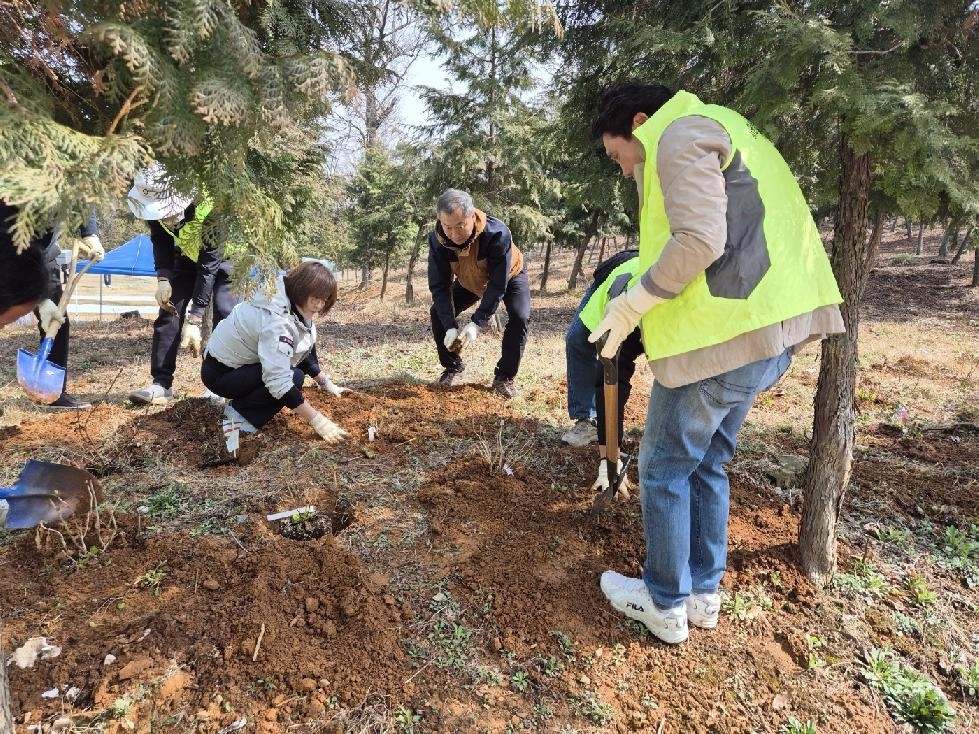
{"x": 831, "y": 447}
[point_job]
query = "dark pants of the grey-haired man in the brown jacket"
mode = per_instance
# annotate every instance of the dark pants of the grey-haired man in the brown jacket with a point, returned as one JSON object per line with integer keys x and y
{"x": 516, "y": 300}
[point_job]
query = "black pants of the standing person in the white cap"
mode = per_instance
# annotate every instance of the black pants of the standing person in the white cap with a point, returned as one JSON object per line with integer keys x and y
{"x": 166, "y": 328}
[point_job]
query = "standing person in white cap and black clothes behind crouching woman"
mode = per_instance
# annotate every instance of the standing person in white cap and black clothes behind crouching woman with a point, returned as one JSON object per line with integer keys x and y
{"x": 189, "y": 275}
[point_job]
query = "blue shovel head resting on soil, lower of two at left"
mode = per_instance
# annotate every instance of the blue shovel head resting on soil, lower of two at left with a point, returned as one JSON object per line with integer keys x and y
{"x": 46, "y": 493}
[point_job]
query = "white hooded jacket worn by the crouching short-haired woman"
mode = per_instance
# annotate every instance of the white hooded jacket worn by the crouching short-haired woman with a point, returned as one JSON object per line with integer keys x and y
{"x": 264, "y": 331}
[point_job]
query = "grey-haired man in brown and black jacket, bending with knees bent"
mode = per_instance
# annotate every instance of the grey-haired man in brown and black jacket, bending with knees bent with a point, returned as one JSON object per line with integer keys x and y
{"x": 471, "y": 257}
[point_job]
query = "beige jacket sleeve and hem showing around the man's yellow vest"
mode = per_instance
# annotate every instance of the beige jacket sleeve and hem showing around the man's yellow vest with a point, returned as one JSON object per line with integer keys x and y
{"x": 695, "y": 204}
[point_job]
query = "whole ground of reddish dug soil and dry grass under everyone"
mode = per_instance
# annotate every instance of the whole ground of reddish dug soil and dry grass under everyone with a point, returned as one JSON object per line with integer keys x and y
{"x": 448, "y": 579}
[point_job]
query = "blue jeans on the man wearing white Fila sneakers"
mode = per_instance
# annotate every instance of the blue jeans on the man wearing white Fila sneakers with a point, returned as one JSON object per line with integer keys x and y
{"x": 691, "y": 433}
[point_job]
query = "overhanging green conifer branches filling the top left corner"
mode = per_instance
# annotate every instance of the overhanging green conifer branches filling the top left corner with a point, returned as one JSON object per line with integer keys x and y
{"x": 227, "y": 95}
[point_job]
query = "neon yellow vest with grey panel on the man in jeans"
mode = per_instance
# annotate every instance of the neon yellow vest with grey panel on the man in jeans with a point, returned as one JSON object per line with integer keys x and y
{"x": 774, "y": 266}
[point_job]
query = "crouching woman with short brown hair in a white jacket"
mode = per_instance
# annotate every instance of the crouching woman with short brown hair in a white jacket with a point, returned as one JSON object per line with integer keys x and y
{"x": 259, "y": 355}
